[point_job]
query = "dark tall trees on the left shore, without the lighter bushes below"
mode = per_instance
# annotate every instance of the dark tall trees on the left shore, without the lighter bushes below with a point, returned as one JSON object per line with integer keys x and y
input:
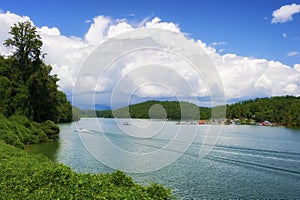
{"x": 26, "y": 86}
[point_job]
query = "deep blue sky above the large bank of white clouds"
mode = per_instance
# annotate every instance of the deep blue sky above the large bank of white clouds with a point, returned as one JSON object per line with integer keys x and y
{"x": 244, "y": 26}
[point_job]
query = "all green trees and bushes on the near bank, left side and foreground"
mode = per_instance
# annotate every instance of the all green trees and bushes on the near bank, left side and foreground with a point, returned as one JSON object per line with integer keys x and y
{"x": 30, "y": 105}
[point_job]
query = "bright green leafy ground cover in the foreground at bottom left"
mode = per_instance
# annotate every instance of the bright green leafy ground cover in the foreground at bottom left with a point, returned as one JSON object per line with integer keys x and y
{"x": 25, "y": 176}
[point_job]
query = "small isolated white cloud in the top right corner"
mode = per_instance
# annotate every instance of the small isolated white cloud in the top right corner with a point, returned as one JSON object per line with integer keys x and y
{"x": 285, "y": 13}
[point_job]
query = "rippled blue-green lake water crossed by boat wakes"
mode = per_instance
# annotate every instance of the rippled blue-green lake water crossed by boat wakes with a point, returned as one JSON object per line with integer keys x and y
{"x": 196, "y": 161}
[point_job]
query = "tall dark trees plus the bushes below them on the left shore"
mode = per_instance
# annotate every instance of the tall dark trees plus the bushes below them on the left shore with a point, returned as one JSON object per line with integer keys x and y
{"x": 30, "y": 102}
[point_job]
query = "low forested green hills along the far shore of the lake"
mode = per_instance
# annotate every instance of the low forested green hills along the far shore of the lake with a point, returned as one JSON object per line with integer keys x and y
{"x": 284, "y": 110}
